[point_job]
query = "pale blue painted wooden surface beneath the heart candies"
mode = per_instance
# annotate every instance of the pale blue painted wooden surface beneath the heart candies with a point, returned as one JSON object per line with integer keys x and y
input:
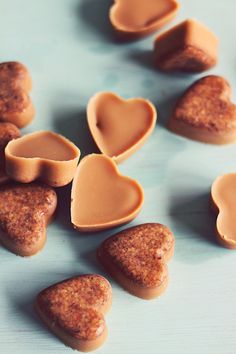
{"x": 70, "y": 52}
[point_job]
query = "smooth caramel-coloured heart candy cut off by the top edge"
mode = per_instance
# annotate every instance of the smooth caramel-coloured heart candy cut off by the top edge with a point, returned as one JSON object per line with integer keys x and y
{"x": 137, "y": 18}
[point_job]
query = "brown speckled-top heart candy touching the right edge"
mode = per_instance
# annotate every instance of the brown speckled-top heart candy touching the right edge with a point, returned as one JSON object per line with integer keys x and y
{"x": 205, "y": 112}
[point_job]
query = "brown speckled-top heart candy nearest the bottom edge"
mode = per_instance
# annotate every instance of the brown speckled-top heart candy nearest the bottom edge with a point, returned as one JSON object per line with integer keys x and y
{"x": 74, "y": 310}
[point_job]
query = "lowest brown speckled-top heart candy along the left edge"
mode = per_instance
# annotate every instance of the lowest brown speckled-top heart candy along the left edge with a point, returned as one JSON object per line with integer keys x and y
{"x": 25, "y": 211}
